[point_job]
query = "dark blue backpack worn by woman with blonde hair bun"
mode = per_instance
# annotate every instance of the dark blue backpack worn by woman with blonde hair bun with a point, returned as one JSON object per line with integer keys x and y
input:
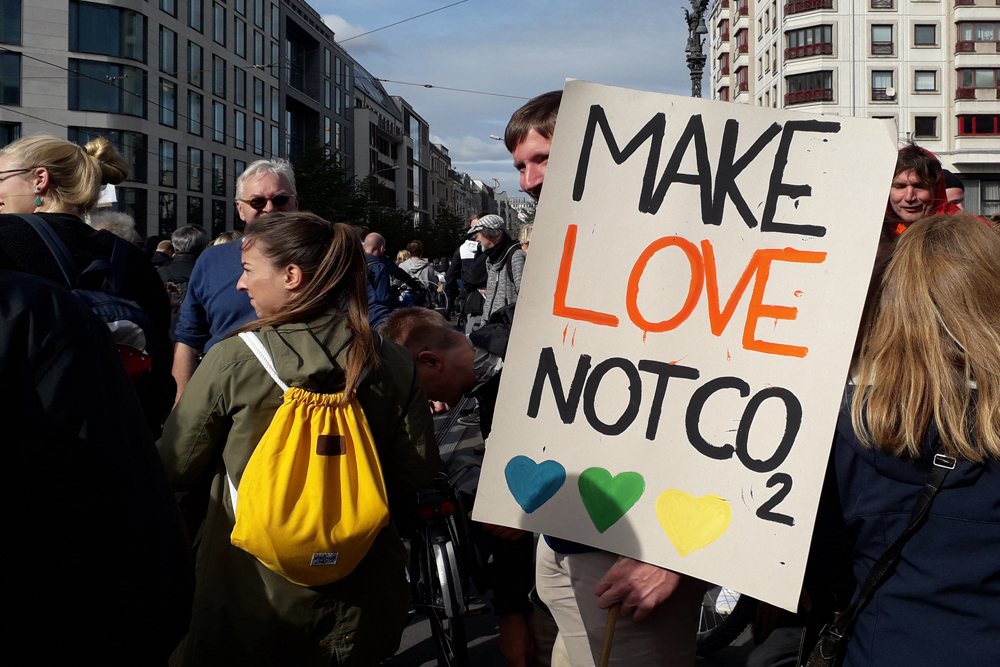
{"x": 131, "y": 329}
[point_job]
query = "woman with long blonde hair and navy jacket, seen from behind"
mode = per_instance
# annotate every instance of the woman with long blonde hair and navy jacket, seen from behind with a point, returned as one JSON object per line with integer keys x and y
{"x": 926, "y": 397}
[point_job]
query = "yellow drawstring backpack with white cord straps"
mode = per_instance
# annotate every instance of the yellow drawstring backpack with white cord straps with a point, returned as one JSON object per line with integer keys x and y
{"x": 312, "y": 499}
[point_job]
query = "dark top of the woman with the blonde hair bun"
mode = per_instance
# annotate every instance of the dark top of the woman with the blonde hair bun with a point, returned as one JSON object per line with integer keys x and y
{"x": 22, "y": 249}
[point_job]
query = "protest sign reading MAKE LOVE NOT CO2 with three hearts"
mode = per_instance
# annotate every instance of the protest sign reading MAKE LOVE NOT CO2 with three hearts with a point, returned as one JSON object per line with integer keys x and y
{"x": 684, "y": 329}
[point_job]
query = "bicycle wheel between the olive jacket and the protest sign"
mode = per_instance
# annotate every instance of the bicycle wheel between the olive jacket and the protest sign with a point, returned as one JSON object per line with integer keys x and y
{"x": 447, "y": 615}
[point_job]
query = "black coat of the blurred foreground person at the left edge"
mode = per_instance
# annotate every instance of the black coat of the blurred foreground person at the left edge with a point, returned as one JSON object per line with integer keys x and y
{"x": 95, "y": 542}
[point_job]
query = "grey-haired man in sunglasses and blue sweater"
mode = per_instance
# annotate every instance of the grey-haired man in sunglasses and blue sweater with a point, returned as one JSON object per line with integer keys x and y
{"x": 213, "y": 307}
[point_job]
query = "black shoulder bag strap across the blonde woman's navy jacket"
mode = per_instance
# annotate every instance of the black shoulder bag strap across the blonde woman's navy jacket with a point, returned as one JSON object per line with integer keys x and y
{"x": 832, "y": 640}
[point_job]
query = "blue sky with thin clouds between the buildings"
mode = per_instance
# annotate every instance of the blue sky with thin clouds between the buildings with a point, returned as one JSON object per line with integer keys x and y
{"x": 513, "y": 47}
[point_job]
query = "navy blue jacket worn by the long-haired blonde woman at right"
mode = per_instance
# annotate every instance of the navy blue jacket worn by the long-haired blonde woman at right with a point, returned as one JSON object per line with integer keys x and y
{"x": 941, "y": 605}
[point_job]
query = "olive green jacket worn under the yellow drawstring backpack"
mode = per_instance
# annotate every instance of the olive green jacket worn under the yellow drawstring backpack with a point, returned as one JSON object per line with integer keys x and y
{"x": 245, "y": 614}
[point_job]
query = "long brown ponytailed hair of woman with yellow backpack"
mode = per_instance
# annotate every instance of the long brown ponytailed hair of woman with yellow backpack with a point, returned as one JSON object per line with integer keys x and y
{"x": 332, "y": 260}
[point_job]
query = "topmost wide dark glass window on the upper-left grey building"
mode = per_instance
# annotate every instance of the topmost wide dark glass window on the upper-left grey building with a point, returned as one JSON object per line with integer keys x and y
{"x": 107, "y": 30}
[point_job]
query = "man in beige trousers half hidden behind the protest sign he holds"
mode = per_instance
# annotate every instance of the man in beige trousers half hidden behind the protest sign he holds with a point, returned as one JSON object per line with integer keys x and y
{"x": 569, "y": 575}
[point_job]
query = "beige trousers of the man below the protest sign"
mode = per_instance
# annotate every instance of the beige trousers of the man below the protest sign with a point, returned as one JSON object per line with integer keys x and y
{"x": 566, "y": 583}
